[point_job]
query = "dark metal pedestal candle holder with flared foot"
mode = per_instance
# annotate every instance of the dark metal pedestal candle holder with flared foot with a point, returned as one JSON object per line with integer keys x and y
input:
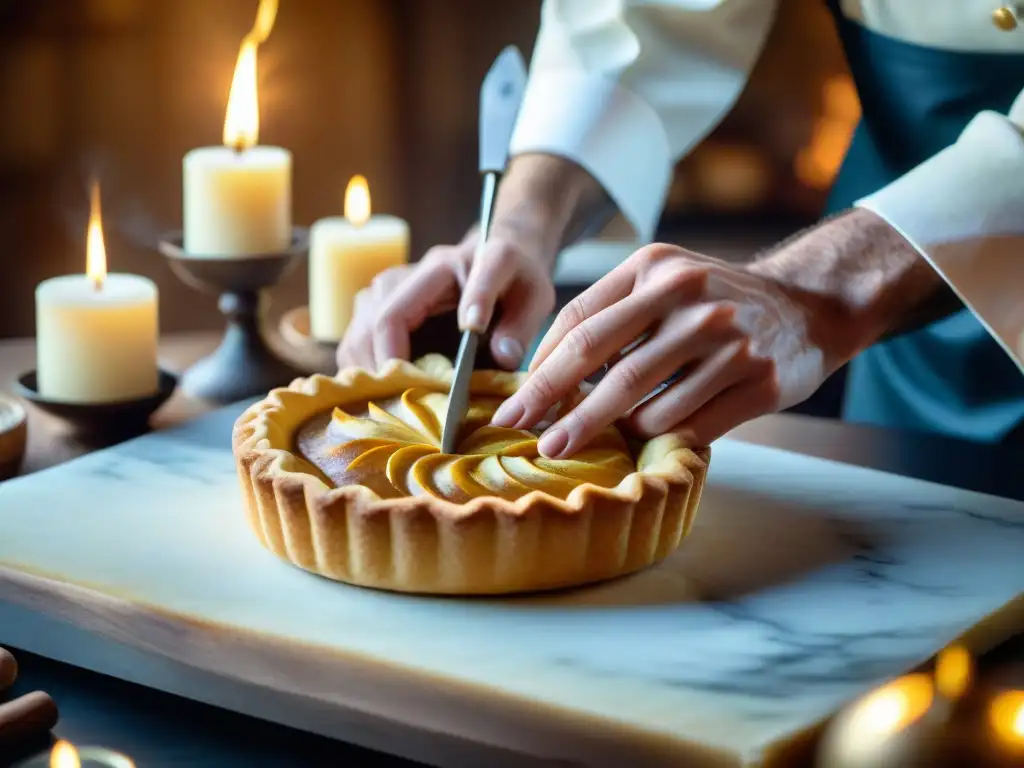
{"x": 244, "y": 365}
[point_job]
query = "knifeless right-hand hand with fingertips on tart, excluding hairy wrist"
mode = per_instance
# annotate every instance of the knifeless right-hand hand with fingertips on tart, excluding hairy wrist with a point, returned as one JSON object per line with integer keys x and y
{"x": 747, "y": 345}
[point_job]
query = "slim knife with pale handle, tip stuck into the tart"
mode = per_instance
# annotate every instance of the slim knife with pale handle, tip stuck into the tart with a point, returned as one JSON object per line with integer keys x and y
{"x": 501, "y": 96}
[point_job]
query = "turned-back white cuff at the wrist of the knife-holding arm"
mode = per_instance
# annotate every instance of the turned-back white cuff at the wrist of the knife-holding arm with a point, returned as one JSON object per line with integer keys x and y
{"x": 610, "y": 132}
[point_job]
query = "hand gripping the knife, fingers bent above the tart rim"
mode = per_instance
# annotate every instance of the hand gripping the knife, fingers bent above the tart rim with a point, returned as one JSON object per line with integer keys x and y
{"x": 507, "y": 277}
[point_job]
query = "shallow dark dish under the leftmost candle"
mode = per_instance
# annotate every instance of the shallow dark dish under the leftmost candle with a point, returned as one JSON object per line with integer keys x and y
{"x": 118, "y": 417}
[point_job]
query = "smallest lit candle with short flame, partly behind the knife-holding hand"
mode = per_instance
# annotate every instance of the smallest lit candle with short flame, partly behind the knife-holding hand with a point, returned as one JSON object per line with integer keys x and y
{"x": 346, "y": 253}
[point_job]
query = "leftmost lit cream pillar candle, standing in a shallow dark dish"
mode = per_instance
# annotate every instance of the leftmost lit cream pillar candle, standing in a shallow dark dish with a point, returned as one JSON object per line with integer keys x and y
{"x": 97, "y": 333}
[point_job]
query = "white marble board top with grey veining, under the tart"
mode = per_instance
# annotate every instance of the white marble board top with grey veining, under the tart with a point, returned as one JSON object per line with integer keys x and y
{"x": 804, "y": 583}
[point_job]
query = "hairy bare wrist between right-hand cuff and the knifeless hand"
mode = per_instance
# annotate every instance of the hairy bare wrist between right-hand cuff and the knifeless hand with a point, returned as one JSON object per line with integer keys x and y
{"x": 859, "y": 278}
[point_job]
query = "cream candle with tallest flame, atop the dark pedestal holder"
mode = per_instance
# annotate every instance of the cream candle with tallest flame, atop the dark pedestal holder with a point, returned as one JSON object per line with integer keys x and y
{"x": 238, "y": 198}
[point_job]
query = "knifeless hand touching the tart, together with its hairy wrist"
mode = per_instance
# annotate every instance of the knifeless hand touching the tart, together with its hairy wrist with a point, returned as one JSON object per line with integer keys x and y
{"x": 748, "y": 340}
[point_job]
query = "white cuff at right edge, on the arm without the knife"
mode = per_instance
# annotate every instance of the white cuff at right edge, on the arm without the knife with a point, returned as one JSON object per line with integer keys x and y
{"x": 964, "y": 210}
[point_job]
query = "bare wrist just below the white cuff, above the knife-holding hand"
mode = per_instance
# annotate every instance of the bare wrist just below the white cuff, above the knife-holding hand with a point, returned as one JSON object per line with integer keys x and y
{"x": 543, "y": 201}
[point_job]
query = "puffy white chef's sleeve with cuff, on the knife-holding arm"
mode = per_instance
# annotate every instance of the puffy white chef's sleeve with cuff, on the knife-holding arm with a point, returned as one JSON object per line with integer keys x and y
{"x": 625, "y": 89}
